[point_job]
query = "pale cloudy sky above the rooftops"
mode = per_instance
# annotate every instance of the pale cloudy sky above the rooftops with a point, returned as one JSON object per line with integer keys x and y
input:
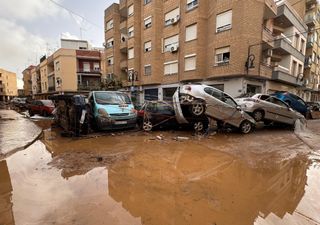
{"x": 32, "y": 28}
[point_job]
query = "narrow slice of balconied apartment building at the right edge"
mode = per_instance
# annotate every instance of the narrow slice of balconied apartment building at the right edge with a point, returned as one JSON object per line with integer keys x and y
{"x": 312, "y": 68}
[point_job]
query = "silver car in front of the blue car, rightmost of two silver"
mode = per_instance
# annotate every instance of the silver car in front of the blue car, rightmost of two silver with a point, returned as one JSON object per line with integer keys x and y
{"x": 267, "y": 108}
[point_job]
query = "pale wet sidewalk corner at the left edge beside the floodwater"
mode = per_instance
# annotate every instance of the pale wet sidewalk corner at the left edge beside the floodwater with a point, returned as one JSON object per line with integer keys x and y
{"x": 16, "y": 132}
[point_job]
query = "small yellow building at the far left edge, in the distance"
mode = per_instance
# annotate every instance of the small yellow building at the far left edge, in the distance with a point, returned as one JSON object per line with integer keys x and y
{"x": 8, "y": 85}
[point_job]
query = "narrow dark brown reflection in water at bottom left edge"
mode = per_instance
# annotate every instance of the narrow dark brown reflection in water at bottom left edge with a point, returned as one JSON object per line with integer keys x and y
{"x": 6, "y": 215}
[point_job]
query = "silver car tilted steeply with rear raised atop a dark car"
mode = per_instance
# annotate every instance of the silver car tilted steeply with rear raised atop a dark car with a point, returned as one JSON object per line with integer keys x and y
{"x": 199, "y": 99}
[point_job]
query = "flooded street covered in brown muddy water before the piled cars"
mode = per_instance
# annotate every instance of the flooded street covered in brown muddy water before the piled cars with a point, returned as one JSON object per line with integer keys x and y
{"x": 271, "y": 176}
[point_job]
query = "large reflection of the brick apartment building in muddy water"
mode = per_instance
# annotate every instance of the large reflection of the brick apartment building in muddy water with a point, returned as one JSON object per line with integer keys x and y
{"x": 211, "y": 190}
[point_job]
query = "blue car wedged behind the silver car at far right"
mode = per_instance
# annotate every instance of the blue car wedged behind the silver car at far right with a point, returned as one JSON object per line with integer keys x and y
{"x": 294, "y": 101}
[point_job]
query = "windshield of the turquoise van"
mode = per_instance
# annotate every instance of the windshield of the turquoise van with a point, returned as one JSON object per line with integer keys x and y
{"x": 112, "y": 98}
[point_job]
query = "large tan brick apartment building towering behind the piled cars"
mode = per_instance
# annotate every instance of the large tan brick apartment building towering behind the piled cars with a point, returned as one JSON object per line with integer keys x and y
{"x": 242, "y": 47}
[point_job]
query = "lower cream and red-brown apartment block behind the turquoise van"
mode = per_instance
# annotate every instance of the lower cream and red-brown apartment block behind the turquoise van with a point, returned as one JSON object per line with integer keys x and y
{"x": 72, "y": 69}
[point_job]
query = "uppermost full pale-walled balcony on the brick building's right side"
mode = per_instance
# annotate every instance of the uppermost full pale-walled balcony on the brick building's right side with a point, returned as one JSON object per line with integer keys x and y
{"x": 288, "y": 17}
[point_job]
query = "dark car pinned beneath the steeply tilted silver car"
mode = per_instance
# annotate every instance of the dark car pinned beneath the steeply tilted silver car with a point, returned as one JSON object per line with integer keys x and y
{"x": 161, "y": 114}
